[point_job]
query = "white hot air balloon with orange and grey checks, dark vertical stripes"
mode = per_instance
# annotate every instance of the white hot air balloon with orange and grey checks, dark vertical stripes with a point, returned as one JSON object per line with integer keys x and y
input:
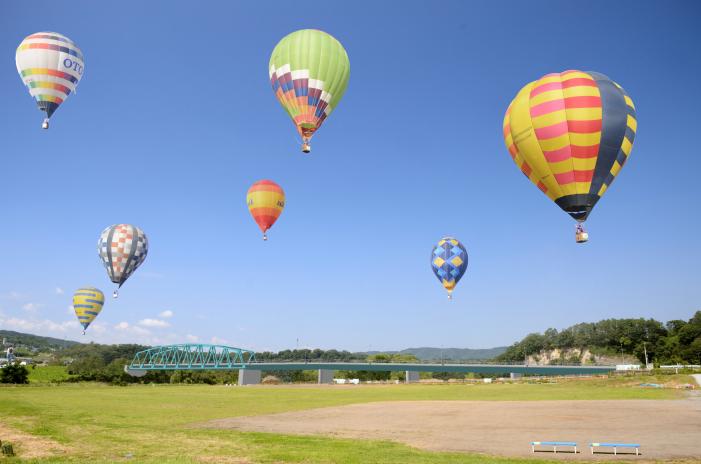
{"x": 122, "y": 249}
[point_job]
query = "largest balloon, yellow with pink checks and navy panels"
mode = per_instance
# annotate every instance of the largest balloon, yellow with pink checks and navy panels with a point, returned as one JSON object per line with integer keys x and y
{"x": 570, "y": 134}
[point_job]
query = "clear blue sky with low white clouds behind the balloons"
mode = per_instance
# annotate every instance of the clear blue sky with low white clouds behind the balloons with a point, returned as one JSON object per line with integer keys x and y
{"x": 175, "y": 118}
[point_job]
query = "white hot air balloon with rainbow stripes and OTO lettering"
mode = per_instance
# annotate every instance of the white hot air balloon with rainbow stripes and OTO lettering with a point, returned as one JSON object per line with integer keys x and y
{"x": 51, "y": 66}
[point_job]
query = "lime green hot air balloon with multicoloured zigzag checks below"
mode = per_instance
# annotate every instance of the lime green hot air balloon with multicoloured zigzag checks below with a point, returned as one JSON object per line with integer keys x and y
{"x": 309, "y": 71}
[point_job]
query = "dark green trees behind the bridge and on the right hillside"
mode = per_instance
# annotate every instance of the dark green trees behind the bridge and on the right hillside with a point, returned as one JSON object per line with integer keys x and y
{"x": 676, "y": 341}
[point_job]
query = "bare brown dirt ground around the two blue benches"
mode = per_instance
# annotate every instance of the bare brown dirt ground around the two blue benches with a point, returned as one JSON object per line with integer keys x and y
{"x": 665, "y": 429}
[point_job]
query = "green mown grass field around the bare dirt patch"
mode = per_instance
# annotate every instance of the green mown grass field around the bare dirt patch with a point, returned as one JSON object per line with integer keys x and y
{"x": 153, "y": 423}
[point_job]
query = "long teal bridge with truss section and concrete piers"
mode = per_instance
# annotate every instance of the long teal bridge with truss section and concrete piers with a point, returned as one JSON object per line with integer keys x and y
{"x": 219, "y": 357}
